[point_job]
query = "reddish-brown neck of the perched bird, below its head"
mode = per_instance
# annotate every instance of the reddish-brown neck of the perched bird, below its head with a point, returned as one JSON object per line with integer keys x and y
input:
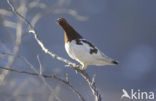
{"x": 70, "y": 33}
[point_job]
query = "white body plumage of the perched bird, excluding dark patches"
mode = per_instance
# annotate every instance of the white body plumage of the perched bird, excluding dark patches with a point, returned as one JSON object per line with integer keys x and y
{"x": 81, "y": 53}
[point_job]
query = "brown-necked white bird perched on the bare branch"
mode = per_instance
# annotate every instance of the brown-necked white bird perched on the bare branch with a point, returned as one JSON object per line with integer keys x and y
{"x": 80, "y": 49}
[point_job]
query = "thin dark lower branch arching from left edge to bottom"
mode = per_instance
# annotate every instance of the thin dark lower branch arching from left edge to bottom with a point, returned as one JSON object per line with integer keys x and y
{"x": 47, "y": 76}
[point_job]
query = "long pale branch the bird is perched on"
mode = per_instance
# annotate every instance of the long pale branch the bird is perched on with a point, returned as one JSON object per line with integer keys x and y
{"x": 71, "y": 64}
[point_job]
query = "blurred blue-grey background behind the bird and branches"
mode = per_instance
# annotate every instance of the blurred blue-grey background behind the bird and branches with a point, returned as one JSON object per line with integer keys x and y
{"x": 123, "y": 29}
